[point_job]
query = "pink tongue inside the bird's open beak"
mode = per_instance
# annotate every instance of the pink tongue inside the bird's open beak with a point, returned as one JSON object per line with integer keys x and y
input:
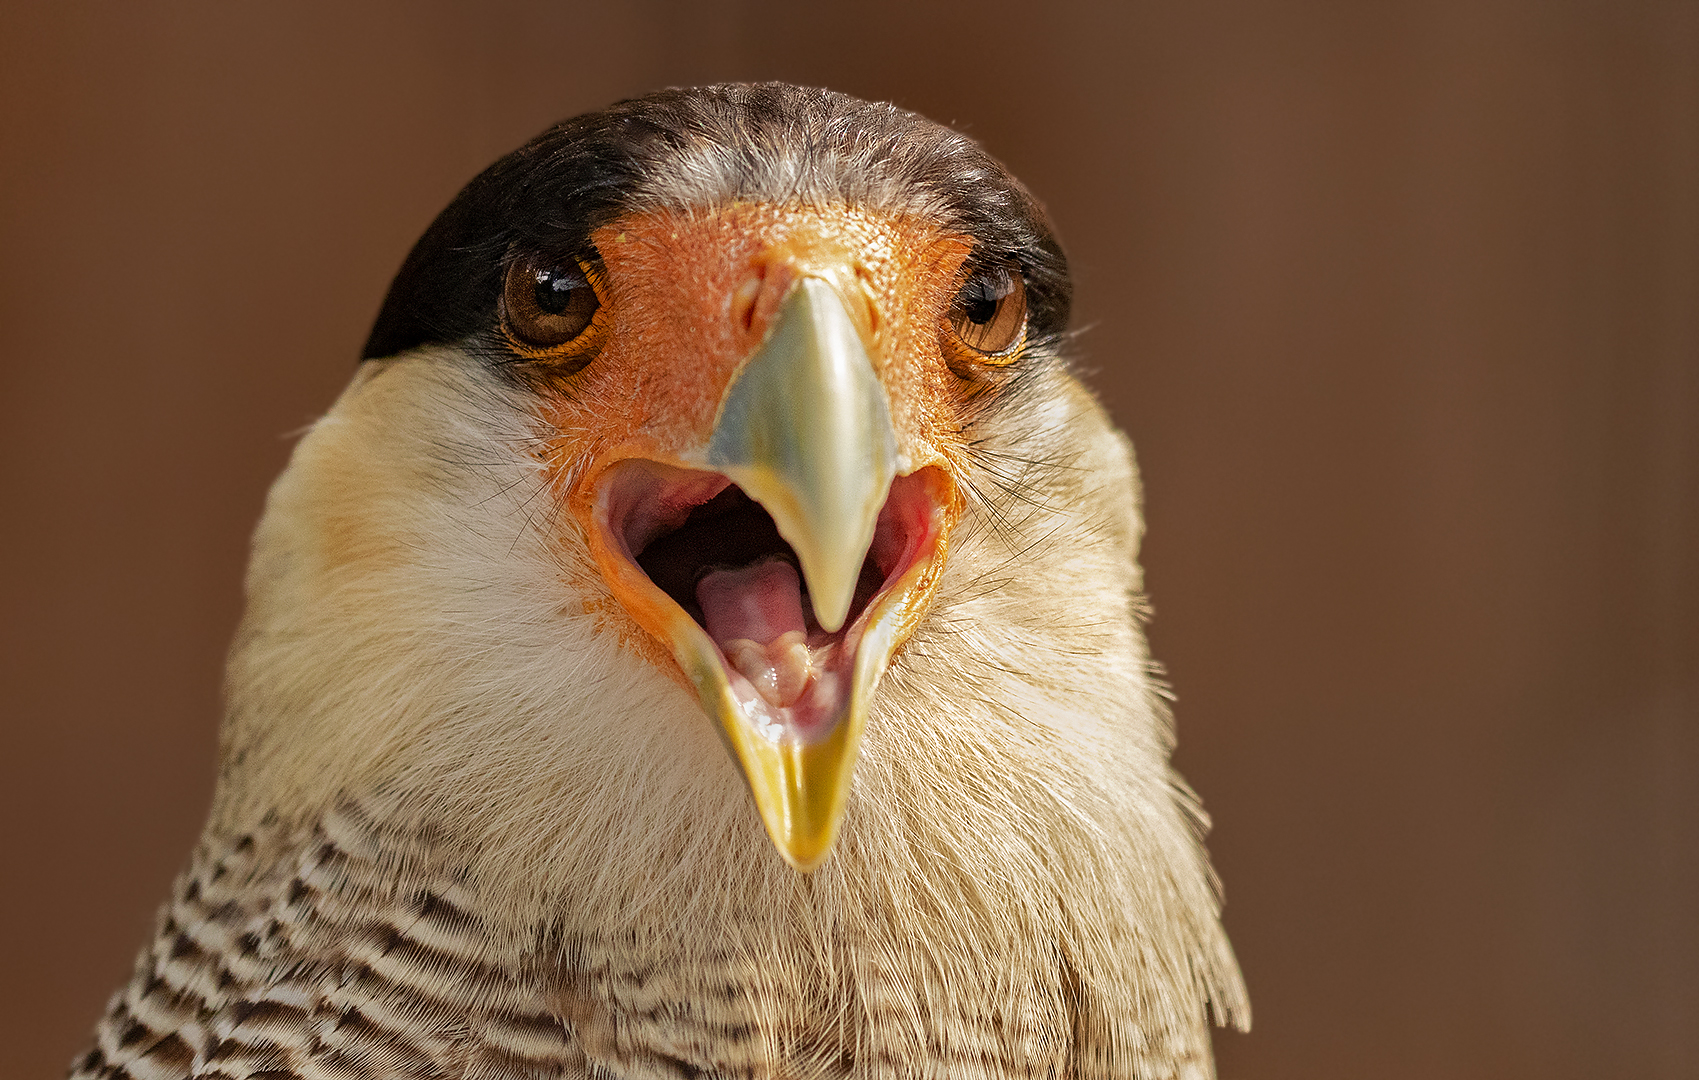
{"x": 755, "y": 617}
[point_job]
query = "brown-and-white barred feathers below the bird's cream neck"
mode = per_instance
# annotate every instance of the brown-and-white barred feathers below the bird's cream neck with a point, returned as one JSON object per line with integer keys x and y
{"x": 313, "y": 957}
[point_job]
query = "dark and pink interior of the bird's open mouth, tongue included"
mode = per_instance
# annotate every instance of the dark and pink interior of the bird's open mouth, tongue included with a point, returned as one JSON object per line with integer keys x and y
{"x": 718, "y": 554}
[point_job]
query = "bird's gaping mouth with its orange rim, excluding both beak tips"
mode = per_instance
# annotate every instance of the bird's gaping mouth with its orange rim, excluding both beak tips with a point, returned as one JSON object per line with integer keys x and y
{"x": 704, "y": 568}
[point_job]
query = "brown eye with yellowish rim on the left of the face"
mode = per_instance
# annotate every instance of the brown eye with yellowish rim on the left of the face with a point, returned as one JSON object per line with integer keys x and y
{"x": 553, "y": 310}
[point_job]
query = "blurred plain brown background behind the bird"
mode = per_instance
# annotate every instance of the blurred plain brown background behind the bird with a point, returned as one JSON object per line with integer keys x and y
{"x": 1399, "y": 301}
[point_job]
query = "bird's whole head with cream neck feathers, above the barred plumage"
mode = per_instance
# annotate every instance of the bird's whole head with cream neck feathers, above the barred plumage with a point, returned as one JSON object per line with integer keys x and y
{"x": 721, "y": 446}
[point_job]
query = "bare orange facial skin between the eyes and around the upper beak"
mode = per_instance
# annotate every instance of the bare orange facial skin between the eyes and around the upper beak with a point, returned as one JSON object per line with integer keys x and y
{"x": 691, "y": 296}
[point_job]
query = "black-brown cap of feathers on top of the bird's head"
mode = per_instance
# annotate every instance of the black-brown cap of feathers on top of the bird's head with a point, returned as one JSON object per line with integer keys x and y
{"x": 699, "y": 149}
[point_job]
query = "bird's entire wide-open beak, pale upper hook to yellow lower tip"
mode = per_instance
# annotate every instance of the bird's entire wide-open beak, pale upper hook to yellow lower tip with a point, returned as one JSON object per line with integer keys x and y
{"x": 784, "y": 638}
